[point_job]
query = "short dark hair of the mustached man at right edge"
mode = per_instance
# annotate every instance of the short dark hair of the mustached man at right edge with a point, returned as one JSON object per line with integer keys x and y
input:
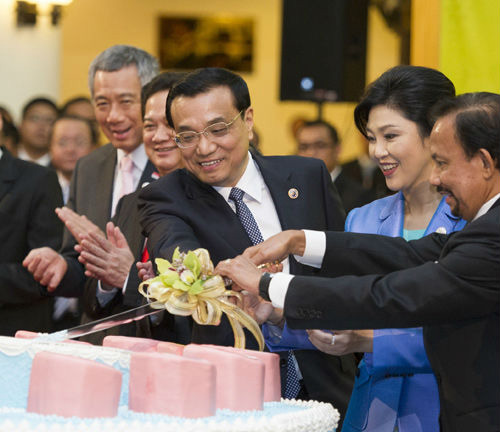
{"x": 477, "y": 121}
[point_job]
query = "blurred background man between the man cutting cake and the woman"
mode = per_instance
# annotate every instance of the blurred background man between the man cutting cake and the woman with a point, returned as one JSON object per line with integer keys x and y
{"x": 320, "y": 139}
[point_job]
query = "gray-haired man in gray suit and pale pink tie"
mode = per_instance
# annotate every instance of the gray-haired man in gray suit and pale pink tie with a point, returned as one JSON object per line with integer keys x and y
{"x": 100, "y": 179}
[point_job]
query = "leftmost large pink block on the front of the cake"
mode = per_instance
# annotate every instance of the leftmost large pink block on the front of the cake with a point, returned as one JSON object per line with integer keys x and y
{"x": 70, "y": 386}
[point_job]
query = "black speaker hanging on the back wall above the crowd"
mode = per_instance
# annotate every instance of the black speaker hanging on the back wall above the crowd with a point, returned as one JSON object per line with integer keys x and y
{"x": 323, "y": 50}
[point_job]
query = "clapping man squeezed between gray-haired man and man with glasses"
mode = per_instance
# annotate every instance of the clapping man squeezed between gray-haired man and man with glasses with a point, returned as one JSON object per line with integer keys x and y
{"x": 100, "y": 253}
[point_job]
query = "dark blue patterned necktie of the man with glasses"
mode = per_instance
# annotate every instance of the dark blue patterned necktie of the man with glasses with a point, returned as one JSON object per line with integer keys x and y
{"x": 246, "y": 218}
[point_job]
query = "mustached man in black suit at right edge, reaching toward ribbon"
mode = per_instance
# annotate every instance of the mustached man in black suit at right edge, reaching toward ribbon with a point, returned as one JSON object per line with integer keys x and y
{"x": 450, "y": 285}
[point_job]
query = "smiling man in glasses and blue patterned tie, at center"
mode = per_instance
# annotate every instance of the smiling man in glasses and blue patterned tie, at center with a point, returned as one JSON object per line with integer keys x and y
{"x": 227, "y": 199}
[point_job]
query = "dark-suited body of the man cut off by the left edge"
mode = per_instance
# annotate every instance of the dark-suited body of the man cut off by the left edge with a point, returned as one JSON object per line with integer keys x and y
{"x": 28, "y": 196}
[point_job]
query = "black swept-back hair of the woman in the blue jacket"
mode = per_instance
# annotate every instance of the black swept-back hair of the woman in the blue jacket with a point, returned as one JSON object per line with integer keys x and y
{"x": 411, "y": 90}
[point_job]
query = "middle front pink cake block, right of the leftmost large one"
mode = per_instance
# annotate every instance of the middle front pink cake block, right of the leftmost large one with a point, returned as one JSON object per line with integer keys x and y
{"x": 171, "y": 384}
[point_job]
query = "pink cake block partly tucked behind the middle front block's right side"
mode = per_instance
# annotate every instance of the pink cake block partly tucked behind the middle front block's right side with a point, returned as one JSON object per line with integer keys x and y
{"x": 240, "y": 379}
